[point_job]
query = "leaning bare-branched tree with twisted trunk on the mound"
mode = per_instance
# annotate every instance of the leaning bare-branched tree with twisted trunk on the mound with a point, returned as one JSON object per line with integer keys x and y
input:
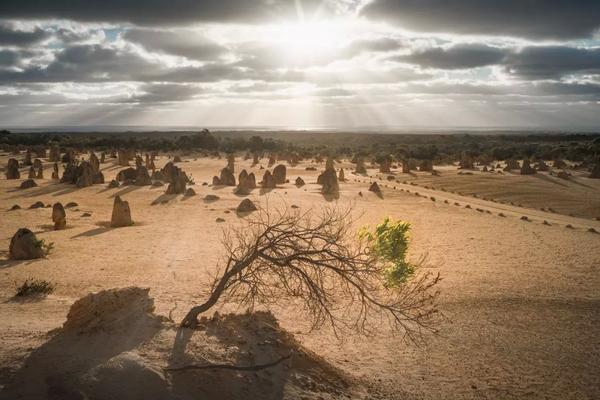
{"x": 315, "y": 259}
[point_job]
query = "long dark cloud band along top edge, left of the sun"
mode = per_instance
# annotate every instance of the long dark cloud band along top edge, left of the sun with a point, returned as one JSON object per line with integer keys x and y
{"x": 147, "y": 12}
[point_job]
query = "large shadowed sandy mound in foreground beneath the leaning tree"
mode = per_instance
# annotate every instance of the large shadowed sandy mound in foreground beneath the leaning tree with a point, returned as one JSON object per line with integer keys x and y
{"x": 113, "y": 346}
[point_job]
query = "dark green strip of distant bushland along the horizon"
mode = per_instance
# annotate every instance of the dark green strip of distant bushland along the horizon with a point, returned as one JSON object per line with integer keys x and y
{"x": 442, "y": 148}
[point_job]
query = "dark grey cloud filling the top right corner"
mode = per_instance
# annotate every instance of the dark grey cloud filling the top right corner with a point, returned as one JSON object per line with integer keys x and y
{"x": 555, "y": 19}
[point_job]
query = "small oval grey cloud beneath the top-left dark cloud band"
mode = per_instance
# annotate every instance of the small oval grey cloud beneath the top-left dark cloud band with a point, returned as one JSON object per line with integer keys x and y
{"x": 183, "y": 43}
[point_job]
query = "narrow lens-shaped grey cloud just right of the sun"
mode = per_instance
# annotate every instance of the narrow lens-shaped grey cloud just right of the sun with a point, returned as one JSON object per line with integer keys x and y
{"x": 456, "y": 57}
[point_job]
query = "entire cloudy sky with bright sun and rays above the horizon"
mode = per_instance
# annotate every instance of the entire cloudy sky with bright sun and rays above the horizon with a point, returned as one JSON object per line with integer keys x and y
{"x": 301, "y": 64}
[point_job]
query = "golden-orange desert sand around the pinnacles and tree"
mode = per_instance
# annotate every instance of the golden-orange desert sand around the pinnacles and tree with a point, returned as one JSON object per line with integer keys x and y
{"x": 521, "y": 299}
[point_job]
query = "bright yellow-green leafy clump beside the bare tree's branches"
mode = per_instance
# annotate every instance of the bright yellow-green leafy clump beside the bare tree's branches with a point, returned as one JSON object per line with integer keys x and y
{"x": 389, "y": 242}
